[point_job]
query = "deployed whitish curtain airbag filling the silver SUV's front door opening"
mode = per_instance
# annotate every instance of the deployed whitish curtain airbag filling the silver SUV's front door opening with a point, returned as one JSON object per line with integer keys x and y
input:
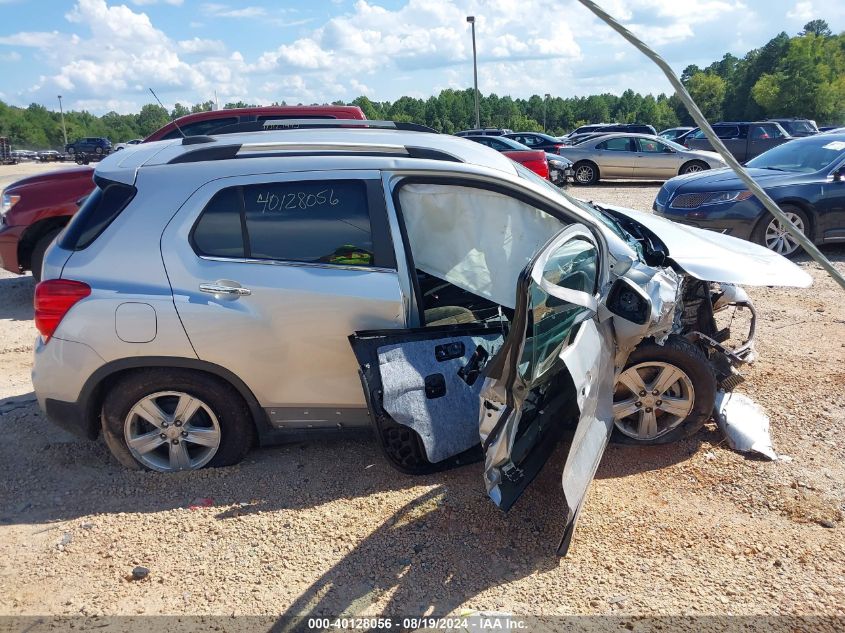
{"x": 476, "y": 239}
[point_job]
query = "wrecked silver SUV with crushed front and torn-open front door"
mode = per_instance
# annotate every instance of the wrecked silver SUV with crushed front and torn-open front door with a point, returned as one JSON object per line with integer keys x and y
{"x": 206, "y": 295}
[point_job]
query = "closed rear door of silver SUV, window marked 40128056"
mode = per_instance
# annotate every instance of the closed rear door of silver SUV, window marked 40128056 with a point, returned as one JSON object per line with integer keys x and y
{"x": 271, "y": 272}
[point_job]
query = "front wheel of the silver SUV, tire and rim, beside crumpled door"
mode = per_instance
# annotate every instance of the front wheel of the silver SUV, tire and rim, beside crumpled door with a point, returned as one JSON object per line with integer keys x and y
{"x": 693, "y": 394}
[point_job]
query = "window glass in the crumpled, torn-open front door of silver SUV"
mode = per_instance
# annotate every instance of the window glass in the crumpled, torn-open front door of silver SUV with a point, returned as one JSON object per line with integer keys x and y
{"x": 551, "y": 320}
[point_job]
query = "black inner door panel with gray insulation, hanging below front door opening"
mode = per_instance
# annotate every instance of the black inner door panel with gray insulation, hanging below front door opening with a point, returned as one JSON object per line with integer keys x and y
{"x": 422, "y": 387}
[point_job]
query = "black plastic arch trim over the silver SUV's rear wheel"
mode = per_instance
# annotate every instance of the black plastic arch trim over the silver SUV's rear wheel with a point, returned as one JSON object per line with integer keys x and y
{"x": 94, "y": 391}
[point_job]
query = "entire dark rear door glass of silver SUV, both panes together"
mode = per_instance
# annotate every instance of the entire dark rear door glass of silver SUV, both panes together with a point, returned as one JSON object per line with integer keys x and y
{"x": 306, "y": 221}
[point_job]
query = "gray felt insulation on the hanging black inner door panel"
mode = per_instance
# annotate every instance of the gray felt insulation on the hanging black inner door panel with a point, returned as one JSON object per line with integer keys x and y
{"x": 448, "y": 425}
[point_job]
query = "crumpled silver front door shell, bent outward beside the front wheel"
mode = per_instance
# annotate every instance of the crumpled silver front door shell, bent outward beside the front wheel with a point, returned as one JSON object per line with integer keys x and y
{"x": 553, "y": 371}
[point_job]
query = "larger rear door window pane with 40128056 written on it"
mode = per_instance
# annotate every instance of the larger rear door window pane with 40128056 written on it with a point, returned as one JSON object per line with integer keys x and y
{"x": 316, "y": 222}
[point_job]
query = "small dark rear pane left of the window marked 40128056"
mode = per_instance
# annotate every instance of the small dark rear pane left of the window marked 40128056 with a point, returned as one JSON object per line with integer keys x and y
{"x": 219, "y": 231}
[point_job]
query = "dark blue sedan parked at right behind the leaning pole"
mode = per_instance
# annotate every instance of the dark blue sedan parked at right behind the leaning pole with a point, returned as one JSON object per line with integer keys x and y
{"x": 806, "y": 177}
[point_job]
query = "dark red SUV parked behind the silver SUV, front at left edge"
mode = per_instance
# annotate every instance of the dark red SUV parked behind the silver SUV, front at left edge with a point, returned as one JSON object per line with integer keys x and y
{"x": 35, "y": 209}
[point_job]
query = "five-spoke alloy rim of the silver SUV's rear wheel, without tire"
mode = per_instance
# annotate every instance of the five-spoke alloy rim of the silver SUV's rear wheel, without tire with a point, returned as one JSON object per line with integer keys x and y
{"x": 172, "y": 430}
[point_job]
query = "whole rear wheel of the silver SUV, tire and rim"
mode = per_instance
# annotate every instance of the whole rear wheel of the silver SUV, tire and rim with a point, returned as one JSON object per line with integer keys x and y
{"x": 217, "y": 432}
